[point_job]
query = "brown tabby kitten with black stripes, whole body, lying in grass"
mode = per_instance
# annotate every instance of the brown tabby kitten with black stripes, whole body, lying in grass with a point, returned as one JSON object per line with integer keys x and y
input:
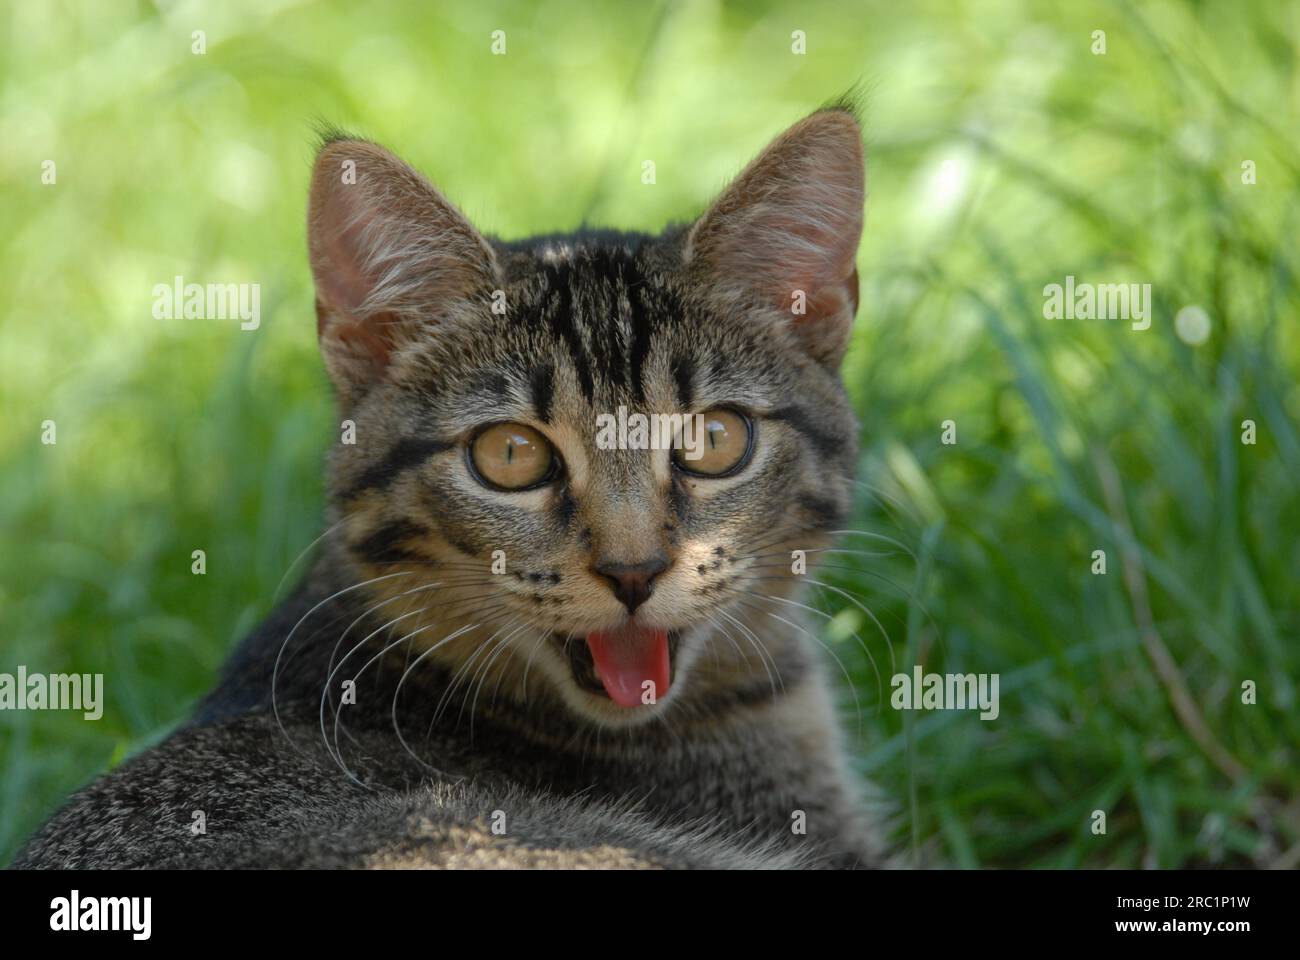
{"x": 521, "y": 648}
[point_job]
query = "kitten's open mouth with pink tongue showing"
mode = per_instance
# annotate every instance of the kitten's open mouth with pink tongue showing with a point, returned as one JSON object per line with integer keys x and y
{"x": 632, "y": 665}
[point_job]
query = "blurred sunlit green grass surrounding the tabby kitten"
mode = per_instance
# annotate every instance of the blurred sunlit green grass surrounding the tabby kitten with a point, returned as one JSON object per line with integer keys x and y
{"x": 1004, "y": 157}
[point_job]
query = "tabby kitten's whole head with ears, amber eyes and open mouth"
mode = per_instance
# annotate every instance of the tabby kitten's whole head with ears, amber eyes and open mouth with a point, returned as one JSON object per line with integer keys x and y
{"x": 513, "y": 516}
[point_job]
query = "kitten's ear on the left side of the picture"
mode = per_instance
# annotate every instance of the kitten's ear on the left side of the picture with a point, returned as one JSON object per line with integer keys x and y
{"x": 391, "y": 257}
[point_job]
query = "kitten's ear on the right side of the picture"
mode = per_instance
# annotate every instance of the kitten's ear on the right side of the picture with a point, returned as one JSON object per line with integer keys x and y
{"x": 785, "y": 236}
